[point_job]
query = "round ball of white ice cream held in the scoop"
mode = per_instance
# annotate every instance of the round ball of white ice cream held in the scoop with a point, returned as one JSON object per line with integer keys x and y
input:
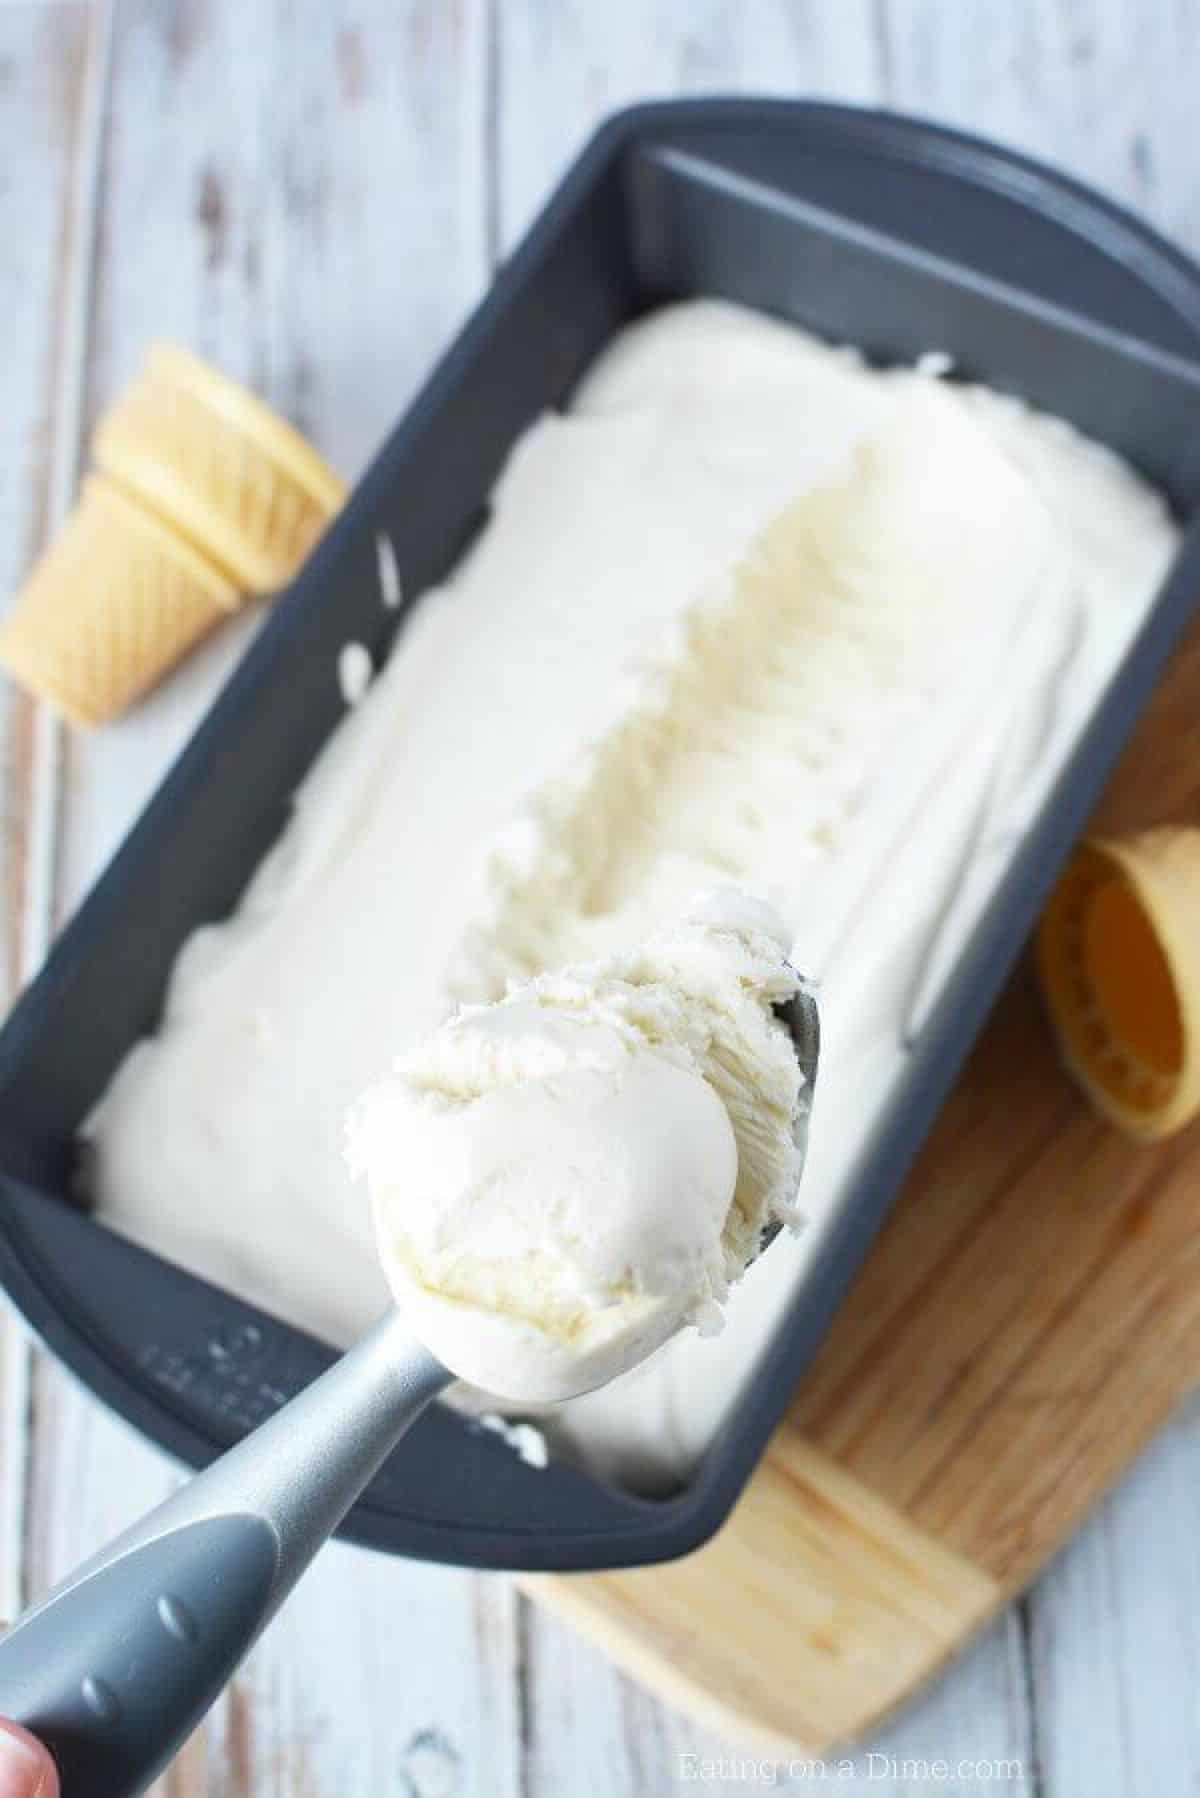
{"x": 566, "y": 1179}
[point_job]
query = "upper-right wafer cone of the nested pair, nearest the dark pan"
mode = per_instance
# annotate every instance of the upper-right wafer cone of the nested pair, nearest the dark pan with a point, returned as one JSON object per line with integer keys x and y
{"x": 219, "y": 467}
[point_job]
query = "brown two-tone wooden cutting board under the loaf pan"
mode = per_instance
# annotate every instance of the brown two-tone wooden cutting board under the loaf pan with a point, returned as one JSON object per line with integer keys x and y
{"x": 1028, "y": 1319}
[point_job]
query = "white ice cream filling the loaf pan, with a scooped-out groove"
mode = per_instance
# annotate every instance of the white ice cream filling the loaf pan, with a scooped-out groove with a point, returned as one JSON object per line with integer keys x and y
{"x": 415, "y": 871}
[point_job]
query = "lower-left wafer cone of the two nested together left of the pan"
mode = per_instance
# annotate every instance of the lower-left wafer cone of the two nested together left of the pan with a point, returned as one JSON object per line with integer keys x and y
{"x": 112, "y": 605}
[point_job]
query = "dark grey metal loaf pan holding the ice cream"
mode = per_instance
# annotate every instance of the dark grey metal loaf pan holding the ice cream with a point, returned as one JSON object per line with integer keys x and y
{"x": 864, "y": 227}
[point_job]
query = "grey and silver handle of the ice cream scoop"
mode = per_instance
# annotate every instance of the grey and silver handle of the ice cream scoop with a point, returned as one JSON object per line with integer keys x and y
{"x": 118, "y": 1666}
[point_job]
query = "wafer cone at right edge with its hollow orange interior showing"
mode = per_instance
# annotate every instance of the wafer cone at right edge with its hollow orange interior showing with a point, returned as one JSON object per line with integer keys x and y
{"x": 1120, "y": 963}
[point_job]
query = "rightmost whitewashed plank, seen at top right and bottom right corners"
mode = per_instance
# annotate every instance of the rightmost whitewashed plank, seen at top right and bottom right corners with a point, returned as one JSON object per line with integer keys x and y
{"x": 1107, "y": 89}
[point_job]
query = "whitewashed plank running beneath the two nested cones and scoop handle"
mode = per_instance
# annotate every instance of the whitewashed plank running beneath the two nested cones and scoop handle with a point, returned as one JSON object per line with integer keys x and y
{"x": 318, "y": 235}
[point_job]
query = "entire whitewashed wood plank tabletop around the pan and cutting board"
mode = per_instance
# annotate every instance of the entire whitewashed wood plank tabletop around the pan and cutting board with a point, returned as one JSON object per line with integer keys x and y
{"x": 312, "y": 195}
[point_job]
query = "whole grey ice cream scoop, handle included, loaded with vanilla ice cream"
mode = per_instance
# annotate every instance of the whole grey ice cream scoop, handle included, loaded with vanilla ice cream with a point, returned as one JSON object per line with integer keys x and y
{"x": 118, "y": 1664}
